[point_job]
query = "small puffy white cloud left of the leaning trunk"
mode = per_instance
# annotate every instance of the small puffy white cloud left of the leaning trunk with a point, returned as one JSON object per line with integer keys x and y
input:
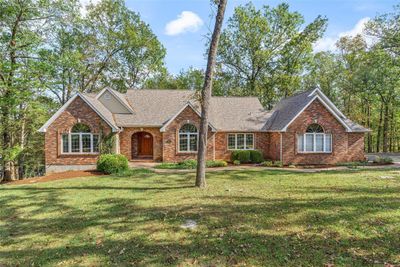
{"x": 187, "y": 21}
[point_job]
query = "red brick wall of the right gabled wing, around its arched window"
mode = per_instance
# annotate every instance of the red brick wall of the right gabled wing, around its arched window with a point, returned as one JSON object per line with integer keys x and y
{"x": 345, "y": 146}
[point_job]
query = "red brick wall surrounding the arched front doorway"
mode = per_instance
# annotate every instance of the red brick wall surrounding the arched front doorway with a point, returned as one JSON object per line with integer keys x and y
{"x": 125, "y": 138}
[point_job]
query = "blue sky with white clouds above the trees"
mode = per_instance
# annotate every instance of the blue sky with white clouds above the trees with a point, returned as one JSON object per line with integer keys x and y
{"x": 185, "y": 39}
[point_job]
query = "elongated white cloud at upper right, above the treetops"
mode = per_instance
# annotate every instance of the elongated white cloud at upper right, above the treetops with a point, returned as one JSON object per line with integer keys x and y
{"x": 329, "y": 42}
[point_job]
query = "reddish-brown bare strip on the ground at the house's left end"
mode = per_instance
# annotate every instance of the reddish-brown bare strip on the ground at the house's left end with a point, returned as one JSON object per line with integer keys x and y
{"x": 57, "y": 176}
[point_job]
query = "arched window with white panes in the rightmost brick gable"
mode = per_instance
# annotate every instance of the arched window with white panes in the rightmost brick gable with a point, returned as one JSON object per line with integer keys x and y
{"x": 314, "y": 140}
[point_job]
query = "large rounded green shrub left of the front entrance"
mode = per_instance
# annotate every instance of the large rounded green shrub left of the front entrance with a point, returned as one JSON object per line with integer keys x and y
{"x": 112, "y": 163}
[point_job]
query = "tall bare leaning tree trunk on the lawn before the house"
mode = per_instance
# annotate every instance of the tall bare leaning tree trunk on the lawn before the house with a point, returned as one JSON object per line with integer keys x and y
{"x": 206, "y": 96}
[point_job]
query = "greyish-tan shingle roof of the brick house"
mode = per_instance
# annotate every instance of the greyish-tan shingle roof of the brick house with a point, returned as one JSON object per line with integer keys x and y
{"x": 156, "y": 107}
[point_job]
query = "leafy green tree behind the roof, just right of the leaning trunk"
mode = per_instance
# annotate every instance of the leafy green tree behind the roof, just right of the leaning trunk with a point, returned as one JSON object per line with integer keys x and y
{"x": 264, "y": 52}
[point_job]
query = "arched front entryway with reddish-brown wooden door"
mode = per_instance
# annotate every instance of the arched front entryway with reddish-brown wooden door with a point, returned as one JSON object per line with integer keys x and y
{"x": 142, "y": 145}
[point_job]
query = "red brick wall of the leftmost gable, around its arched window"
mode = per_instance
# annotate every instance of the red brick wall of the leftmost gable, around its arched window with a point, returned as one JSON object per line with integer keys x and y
{"x": 78, "y": 109}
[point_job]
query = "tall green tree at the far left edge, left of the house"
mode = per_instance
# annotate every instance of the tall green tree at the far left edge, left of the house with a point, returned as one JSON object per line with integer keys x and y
{"x": 23, "y": 28}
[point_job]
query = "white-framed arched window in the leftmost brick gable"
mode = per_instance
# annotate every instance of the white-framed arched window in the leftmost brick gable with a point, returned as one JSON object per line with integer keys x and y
{"x": 80, "y": 140}
